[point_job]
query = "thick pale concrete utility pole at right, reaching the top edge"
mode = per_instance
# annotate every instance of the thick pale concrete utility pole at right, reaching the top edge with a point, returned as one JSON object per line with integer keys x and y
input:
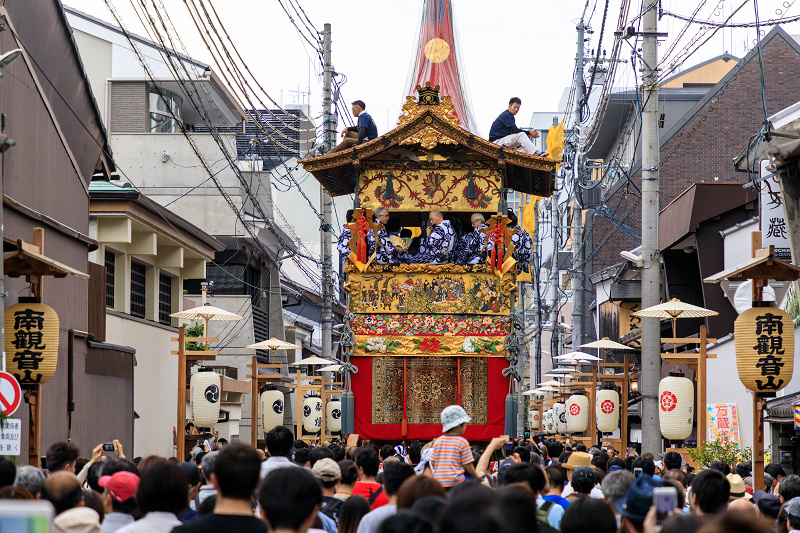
{"x": 651, "y": 272}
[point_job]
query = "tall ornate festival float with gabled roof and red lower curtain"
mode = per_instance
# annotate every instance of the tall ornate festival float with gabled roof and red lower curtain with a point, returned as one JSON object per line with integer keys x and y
{"x": 418, "y": 337}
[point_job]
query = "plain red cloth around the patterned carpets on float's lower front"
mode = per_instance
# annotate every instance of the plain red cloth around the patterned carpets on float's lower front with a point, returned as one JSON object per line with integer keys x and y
{"x": 366, "y": 390}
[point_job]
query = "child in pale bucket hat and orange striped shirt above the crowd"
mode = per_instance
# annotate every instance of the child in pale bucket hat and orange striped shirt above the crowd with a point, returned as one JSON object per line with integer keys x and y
{"x": 452, "y": 457}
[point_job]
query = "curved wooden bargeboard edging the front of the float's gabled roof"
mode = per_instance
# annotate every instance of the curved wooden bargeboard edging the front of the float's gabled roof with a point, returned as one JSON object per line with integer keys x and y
{"x": 417, "y": 124}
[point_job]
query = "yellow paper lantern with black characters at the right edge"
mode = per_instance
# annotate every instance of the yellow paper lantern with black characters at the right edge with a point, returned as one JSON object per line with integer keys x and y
{"x": 764, "y": 339}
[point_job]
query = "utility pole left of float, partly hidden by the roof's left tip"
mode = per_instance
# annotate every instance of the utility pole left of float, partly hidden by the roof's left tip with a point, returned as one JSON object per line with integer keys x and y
{"x": 326, "y": 319}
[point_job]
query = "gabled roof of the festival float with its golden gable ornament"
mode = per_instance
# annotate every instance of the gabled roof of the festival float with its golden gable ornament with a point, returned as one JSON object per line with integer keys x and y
{"x": 428, "y": 136}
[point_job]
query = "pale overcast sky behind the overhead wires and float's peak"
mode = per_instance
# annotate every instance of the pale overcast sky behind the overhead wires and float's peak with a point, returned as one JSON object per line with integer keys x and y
{"x": 522, "y": 48}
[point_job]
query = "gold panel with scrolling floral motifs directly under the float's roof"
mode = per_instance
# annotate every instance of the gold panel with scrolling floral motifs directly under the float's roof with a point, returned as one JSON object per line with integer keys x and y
{"x": 425, "y": 189}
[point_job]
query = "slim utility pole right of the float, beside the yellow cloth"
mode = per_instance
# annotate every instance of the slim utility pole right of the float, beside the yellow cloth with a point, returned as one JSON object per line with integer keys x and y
{"x": 577, "y": 212}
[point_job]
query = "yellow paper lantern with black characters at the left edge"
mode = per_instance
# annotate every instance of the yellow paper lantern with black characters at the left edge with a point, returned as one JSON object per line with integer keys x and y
{"x": 31, "y": 341}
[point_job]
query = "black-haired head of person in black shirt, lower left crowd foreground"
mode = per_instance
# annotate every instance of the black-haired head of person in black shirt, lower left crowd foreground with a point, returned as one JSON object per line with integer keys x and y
{"x": 237, "y": 468}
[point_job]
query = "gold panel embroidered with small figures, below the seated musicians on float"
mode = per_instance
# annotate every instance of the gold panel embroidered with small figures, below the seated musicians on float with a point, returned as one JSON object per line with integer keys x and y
{"x": 443, "y": 293}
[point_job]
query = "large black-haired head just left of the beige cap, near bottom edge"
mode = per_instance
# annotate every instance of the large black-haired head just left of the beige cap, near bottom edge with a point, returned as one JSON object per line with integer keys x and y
{"x": 288, "y": 496}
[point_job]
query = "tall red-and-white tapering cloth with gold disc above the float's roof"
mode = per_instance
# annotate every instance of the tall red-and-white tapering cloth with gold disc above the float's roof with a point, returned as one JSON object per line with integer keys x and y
{"x": 438, "y": 61}
